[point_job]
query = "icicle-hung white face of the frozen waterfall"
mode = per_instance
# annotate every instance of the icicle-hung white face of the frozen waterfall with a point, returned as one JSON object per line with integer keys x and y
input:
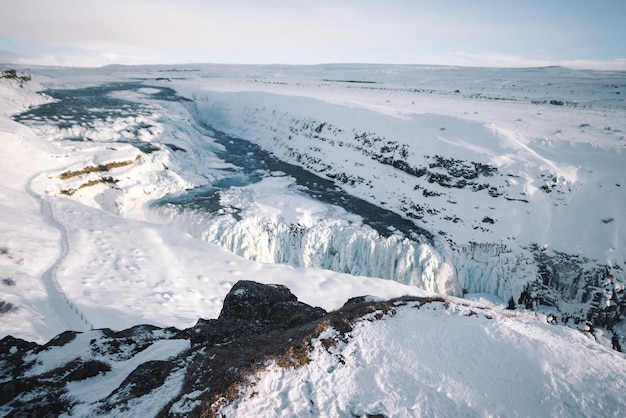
{"x": 332, "y": 244}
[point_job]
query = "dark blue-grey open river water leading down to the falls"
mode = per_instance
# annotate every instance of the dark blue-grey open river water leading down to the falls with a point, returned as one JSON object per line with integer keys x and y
{"x": 90, "y": 105}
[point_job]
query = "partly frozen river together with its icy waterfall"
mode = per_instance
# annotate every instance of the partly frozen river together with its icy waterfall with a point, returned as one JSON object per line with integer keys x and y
{"x": 350, "y": 236}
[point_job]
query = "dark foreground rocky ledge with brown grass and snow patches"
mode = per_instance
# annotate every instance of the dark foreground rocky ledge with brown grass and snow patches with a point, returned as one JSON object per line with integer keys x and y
{"x": 189, "y": 372}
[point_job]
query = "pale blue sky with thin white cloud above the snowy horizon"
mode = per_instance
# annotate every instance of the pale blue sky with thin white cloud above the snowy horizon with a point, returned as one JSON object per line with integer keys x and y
{"x": 509, "y": 33}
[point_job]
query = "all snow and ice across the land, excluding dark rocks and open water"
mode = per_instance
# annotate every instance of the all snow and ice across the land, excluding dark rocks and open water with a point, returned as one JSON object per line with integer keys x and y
{"x": 104, "y": 256}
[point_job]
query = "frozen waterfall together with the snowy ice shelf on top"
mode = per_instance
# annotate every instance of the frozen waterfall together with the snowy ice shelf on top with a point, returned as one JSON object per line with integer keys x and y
{"x": 282, "y": 226}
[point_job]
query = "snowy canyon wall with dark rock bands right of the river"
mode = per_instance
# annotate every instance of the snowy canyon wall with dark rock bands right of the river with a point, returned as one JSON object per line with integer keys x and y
{"x": 512, "y": 215}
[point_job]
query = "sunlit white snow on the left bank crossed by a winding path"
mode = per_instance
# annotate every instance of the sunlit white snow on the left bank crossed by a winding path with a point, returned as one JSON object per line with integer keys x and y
{"x": 117, "y": 271}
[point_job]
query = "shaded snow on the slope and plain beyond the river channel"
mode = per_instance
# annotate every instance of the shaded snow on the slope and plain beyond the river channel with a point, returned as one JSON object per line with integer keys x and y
{"x": 573, "y": 149}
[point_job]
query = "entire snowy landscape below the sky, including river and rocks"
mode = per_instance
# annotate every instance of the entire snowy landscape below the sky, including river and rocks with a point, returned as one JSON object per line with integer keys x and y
{"x": 332, "y": 240}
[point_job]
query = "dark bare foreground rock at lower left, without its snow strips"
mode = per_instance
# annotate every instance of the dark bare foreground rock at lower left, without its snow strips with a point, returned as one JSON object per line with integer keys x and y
{"x": 257, "y": 322}
